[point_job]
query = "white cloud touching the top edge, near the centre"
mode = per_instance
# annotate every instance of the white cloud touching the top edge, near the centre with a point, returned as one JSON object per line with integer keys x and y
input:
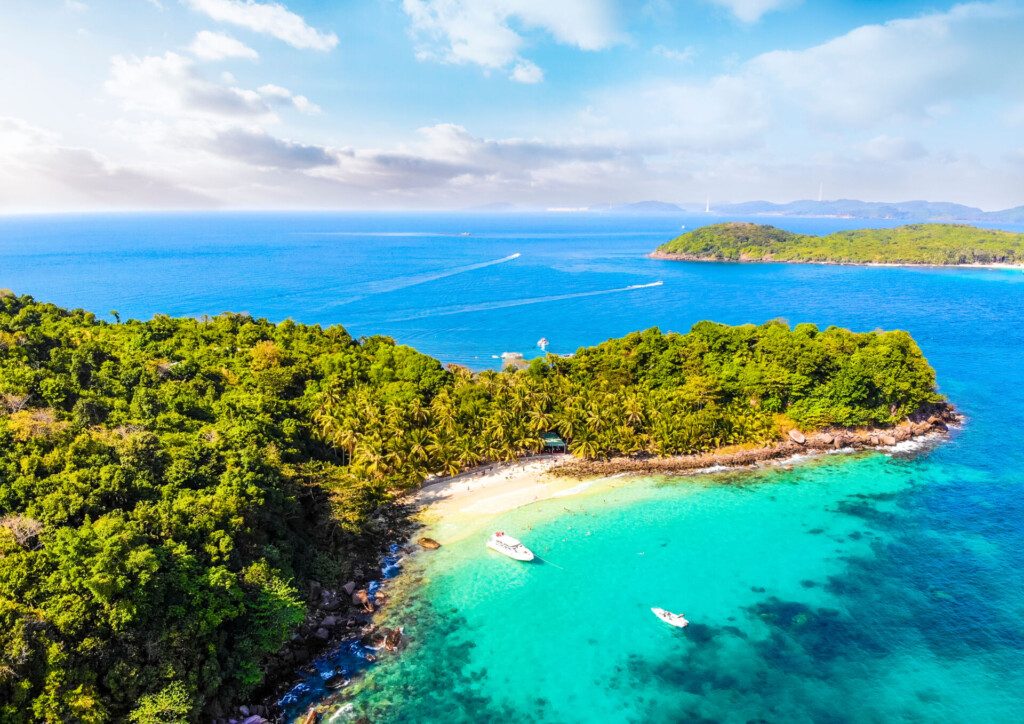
{"x": 490, "y": 33}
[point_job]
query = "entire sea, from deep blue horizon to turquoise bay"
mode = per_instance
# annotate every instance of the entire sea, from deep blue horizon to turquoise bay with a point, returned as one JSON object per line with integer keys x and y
{"x": 866, "y": 589}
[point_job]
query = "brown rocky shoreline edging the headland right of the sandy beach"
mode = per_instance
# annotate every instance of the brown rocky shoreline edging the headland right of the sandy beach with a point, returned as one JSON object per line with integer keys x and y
{"x": 935, "y": 420}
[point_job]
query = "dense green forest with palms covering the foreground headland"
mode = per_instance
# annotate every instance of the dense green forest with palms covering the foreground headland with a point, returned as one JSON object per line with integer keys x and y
{"x": 168, "y": 489}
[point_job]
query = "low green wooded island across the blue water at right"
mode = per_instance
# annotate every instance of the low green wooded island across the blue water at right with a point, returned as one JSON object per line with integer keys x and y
{"x": 933, "y": 244}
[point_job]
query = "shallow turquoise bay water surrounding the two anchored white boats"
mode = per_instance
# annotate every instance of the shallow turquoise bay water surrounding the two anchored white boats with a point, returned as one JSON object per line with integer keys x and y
{"x": 817, "y": 594}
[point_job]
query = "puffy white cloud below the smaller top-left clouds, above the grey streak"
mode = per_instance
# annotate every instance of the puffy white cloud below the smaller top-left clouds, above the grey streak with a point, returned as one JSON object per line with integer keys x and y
{"x": 170, "y": 84}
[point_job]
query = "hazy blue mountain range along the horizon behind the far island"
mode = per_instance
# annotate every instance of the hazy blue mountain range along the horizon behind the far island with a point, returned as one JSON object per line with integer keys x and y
{"x": 842, "y": 208}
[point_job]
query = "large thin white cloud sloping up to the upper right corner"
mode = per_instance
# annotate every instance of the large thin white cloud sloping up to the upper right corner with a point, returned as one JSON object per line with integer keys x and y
{"x": 911, "y": 70}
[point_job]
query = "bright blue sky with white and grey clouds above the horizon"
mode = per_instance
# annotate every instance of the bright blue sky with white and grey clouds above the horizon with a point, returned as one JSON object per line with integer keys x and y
{"x": 453, "y": 104}
